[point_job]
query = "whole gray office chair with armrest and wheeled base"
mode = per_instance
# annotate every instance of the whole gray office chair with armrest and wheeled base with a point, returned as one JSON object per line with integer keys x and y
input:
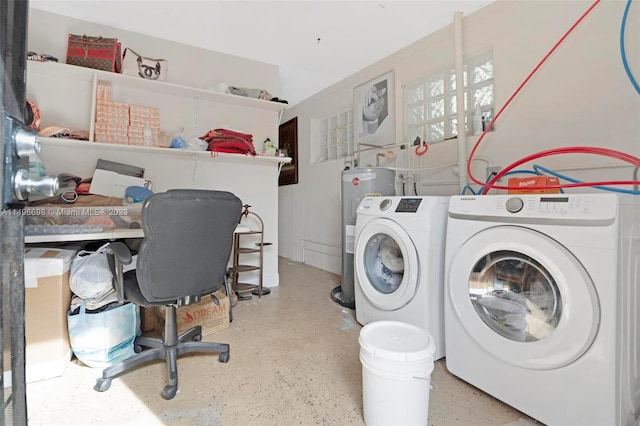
{"x": 188, "y": 236}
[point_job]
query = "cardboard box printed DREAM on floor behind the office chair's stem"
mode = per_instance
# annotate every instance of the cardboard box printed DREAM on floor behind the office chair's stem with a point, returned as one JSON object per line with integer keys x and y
{"x": 206, "y": 313}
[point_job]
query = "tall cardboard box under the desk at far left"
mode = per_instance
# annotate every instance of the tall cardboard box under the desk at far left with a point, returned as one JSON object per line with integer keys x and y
{"x": 47, "y": 300}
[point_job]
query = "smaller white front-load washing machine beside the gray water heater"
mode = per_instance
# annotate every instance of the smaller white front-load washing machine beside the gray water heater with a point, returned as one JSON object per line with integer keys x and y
{"x": 399, "y": 262}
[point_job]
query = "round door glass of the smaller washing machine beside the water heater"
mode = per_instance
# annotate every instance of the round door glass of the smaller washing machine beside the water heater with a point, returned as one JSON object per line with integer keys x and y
{"x": 383, "y": 263}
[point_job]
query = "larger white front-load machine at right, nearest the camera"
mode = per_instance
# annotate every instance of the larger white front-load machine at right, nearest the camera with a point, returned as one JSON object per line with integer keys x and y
{"x": 542, "y": 296}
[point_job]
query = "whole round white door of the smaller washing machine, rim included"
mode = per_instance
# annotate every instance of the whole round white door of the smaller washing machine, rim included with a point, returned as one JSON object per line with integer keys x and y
{"x": 386, "y": 264}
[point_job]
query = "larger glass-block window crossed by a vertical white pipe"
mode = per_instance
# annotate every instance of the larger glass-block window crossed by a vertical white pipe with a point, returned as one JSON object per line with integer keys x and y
{"x": 431, "y": 110}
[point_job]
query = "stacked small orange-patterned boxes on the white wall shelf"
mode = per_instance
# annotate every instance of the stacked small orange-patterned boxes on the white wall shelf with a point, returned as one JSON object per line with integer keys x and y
{"x": 124, "y": 124}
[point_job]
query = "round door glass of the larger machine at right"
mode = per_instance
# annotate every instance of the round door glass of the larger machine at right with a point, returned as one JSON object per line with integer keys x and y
{"x": 515, "y": 296}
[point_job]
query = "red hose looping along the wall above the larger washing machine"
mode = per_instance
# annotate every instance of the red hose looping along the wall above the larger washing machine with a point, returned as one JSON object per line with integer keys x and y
{"x": 567, "y": 150}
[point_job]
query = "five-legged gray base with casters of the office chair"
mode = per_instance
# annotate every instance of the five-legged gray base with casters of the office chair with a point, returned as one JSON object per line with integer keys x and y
{"x": 168, "y": 349}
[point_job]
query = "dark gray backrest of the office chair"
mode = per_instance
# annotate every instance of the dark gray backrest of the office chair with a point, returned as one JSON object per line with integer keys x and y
{"x": 188, "y": 237}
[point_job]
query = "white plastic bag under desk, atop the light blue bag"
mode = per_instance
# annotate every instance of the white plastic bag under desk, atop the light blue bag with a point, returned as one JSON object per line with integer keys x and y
{"x": 90, "y": 275}
